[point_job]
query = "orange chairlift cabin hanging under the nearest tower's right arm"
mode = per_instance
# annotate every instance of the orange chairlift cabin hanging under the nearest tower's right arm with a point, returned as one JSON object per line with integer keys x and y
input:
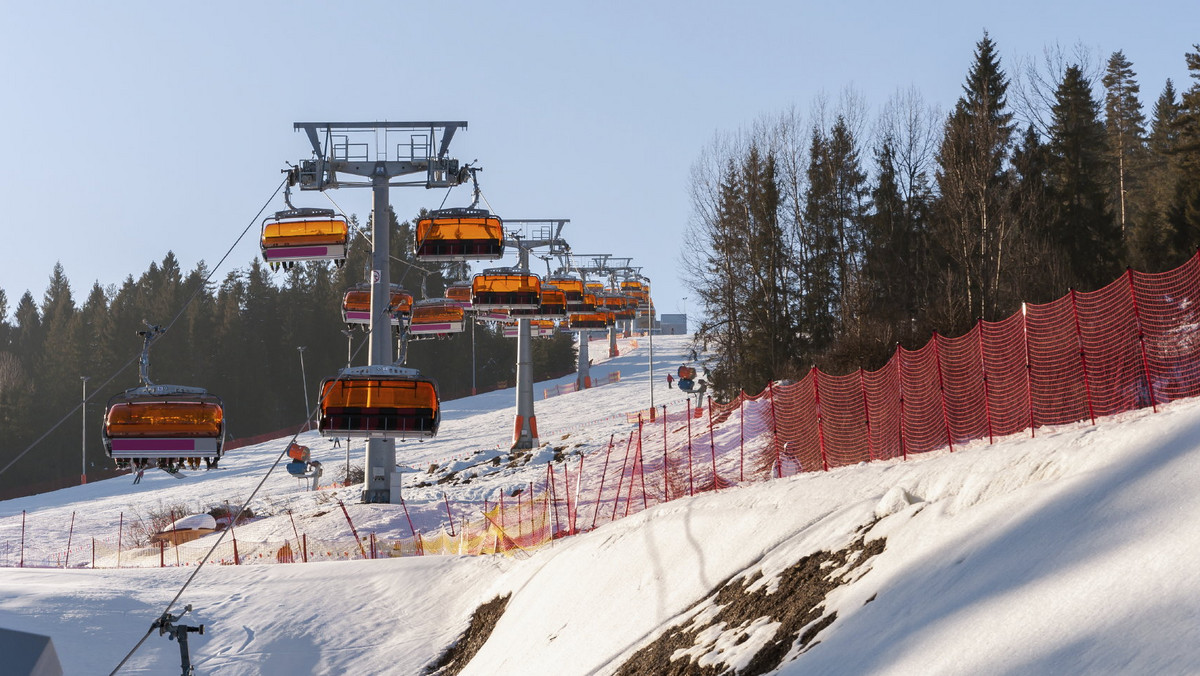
{"x": 460, "y": 235}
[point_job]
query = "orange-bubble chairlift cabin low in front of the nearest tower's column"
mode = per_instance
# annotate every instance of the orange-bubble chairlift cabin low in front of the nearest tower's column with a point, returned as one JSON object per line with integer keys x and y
{"x": 380, "y": 402}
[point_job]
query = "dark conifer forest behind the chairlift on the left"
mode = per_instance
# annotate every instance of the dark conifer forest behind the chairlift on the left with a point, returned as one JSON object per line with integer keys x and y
{"x": 238, "y": 338}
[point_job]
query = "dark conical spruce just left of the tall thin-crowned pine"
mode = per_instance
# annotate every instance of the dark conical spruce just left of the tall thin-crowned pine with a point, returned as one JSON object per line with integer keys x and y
{"x": 1082, "y": 225}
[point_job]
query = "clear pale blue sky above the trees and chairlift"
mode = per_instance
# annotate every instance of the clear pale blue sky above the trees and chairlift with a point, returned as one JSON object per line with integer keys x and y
{"x": 133, "y": 129}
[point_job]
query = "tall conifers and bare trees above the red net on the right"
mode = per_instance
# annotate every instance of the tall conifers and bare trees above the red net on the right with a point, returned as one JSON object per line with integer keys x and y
{"x": 830, "y": 242}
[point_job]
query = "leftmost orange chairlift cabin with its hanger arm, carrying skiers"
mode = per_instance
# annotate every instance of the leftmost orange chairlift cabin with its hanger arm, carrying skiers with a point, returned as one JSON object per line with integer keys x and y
{"x": 169, "y": 427}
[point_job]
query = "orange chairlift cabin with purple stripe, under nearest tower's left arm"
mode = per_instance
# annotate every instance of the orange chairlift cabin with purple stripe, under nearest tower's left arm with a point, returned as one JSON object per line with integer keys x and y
{"x": 304, "y": 235}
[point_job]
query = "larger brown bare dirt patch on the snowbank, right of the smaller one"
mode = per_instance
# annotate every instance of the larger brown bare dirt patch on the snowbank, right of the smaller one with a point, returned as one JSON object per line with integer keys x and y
{"x": 796, "y": 608}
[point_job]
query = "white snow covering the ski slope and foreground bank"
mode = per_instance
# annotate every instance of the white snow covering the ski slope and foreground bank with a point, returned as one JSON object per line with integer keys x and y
{"x": 1071, "y": 552}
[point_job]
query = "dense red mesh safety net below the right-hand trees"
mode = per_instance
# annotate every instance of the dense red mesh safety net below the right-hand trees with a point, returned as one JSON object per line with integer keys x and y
{"x": 1130, "y": 345}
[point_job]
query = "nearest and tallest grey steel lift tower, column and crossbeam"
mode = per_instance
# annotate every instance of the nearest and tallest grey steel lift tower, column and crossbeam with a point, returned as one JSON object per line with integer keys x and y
{"x": 380, "y": 153}
